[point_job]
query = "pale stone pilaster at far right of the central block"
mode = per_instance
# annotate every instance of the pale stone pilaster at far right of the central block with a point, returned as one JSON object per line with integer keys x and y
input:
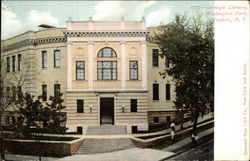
{"x": 144, "y": 67}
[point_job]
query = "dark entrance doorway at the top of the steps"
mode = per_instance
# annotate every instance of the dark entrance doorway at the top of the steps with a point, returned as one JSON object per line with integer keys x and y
{"x": 107, "y": 111}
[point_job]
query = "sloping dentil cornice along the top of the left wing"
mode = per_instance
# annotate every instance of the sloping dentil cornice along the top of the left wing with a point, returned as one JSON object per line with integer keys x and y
{"x": 34, "y": 42}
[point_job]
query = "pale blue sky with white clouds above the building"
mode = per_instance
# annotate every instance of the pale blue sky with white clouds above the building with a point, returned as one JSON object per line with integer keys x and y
{"x": 20, "y": 16}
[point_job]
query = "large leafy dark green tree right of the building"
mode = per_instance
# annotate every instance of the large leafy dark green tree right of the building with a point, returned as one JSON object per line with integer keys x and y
{"x": 188, "y": 44}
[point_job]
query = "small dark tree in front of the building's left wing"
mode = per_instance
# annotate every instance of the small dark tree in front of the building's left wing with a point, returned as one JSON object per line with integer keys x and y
{"x": 36, "y": 117}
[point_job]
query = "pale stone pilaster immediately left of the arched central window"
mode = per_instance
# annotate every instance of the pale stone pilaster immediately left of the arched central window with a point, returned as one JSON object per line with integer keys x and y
{"x": 90, "y": 63}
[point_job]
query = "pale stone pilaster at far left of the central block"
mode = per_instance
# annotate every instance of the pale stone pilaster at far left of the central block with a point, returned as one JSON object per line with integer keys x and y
{"x": 69, "y": 65}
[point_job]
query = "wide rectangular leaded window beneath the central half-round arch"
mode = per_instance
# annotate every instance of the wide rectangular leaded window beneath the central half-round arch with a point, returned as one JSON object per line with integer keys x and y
{"x": 107, "y": 70}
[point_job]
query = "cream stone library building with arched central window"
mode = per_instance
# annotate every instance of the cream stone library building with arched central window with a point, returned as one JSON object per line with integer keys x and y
{"x": 74, "y": 62}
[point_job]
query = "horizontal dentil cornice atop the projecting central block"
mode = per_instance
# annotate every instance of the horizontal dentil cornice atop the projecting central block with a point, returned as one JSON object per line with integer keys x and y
{"x": 105, "y": 33}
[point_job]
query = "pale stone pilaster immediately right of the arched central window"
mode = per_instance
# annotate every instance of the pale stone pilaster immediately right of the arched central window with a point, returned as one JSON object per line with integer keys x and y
{"x": 123, "y": 64}
